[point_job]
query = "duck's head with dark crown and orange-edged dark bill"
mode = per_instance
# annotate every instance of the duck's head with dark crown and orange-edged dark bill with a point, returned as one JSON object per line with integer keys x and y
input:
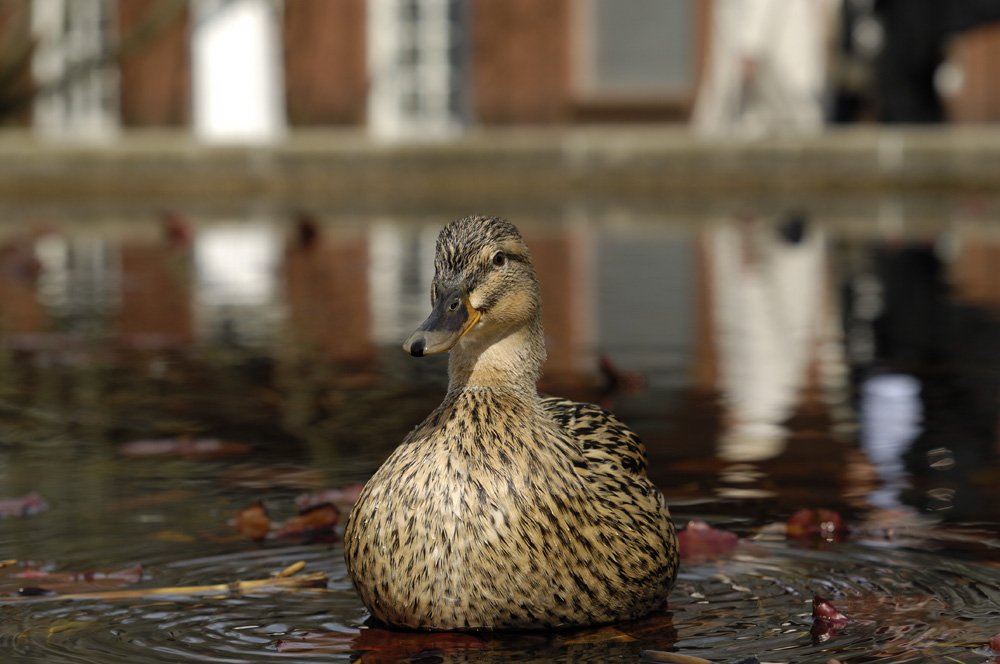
{"x": 484, "y": 286}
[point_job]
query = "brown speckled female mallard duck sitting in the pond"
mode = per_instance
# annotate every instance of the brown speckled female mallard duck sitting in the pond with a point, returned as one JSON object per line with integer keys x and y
{"x": 505, "y": 509}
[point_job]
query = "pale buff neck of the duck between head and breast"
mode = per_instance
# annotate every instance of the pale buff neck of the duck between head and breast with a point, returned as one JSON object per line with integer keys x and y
{"x": 510, "y": 362}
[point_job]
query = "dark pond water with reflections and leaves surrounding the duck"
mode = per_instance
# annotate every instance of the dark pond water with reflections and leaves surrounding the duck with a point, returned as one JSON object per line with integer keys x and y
{"x": 159, "y": 374}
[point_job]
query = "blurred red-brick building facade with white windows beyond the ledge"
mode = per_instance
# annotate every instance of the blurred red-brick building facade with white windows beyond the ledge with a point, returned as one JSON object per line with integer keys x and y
{"x": 401, "y": 68}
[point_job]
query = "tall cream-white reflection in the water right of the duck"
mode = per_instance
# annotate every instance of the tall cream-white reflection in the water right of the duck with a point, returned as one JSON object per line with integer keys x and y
{"x": 769, "y": 314}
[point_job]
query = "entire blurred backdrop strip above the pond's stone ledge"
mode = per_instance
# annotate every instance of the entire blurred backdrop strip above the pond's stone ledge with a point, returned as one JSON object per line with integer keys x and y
{"x": 255, "y": 70}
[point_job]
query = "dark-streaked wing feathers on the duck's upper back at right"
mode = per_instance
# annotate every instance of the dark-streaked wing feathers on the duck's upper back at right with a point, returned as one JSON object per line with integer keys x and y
{"x": 605, "y": 441}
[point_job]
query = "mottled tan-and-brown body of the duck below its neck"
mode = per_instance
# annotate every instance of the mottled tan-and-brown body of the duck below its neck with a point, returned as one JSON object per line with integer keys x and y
{"x": 504, "y": 525}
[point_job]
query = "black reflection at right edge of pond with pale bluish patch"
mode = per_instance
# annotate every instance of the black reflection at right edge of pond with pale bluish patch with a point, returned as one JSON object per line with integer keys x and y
{"x": 923, "y": 325}
